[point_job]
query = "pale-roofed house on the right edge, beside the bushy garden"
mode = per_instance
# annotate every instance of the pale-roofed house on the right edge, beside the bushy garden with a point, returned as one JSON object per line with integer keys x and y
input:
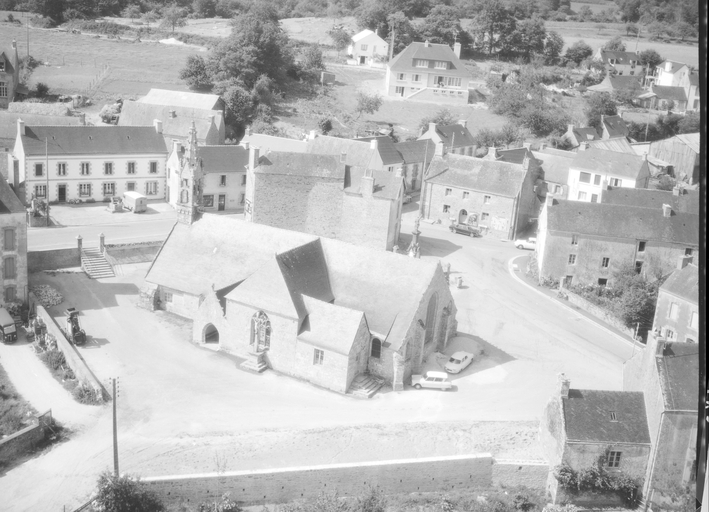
{"x": 677, "y": 310}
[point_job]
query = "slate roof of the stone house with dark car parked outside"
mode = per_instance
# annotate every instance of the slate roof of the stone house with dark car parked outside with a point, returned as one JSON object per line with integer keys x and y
{"x": 466, "y": 172}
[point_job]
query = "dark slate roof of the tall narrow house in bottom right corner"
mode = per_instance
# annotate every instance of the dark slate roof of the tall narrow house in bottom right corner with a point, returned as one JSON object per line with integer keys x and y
{"x": 678, "y": 369}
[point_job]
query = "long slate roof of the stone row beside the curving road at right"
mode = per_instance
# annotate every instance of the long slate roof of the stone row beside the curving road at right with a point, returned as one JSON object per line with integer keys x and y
{"x": 620, "y": 221}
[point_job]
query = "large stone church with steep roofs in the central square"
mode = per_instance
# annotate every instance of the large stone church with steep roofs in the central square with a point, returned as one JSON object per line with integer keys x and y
{"x": 311, "y": 307}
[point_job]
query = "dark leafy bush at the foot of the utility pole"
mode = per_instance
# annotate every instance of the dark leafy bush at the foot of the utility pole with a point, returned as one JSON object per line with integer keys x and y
{"x": 125, "y": 494}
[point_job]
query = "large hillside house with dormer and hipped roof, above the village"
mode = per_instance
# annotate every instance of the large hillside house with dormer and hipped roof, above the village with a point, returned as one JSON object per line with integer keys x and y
{"x": 429, "y": 72}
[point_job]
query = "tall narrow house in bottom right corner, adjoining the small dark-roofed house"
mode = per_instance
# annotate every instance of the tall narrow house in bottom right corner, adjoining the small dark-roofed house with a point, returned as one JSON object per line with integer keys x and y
{"x": 667, "y": 373}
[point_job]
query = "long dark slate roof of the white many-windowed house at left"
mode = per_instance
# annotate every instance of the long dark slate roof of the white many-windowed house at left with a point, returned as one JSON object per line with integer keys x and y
{"x": 93, "y": 140}
